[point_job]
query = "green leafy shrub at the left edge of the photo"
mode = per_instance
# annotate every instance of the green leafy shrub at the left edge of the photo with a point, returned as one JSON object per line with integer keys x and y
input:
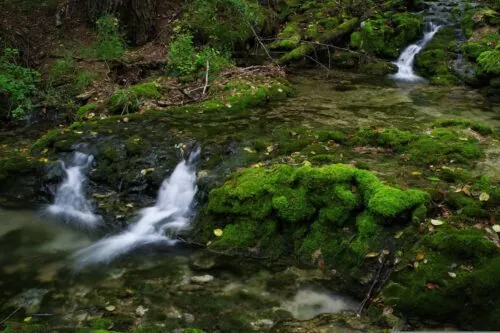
{"x": 18, "y": 86}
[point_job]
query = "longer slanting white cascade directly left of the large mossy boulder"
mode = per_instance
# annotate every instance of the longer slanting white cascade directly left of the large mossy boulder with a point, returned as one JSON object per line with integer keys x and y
{"x": 156, "y": 224}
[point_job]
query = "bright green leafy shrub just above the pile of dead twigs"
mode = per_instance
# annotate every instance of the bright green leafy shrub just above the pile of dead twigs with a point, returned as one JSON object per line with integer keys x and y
{"x": 183, "y": 58}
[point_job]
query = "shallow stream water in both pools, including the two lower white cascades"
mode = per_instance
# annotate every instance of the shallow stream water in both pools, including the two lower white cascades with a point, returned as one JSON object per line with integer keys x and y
{"x": 133, "y": 283}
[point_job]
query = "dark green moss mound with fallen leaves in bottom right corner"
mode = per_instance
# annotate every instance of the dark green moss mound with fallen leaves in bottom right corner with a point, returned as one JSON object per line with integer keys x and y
{"x": 456, "y": 282}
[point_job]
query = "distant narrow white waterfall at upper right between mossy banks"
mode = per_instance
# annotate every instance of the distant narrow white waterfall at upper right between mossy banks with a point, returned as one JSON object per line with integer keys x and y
{"x": 407, "y": 58}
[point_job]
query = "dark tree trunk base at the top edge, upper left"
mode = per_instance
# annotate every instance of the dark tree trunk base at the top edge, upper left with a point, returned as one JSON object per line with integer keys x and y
{"x": 138, "y": 16}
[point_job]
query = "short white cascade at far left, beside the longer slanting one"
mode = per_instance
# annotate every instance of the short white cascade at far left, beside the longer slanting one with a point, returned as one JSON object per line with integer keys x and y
{"x": 70, "y": 204}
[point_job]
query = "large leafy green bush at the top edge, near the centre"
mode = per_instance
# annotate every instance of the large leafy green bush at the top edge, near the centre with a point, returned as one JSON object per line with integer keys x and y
{"x": 224, "y": 23}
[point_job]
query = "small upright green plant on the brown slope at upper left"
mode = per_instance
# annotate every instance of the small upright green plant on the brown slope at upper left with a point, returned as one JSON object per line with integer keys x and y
{"x": 110, "y": 38}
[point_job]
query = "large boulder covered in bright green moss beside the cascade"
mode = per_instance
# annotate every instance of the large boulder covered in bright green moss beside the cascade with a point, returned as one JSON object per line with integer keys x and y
{"x": 337, "y": 212}
